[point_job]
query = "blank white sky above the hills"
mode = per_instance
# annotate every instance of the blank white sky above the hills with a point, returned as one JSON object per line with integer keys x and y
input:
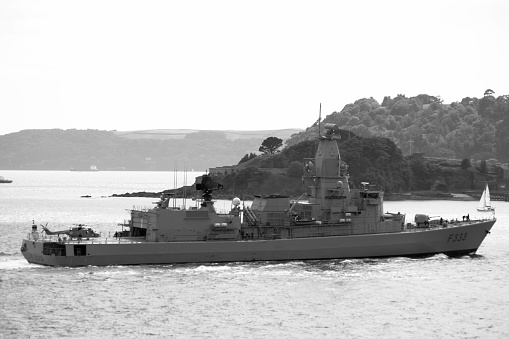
{"x": 237, "y": 65}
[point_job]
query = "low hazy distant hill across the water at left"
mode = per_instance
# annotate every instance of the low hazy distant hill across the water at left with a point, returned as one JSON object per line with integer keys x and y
{"x": 158, "y": 150}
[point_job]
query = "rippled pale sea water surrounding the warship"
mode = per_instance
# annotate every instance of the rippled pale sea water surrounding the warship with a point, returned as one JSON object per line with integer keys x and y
{"x": 434, "y": 297}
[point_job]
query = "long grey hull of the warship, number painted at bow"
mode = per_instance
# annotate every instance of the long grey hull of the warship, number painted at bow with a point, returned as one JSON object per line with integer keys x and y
{"x": 461, "y": 239}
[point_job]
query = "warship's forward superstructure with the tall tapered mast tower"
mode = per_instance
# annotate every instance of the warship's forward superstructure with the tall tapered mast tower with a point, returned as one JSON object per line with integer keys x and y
{"x": 332, "y": 208}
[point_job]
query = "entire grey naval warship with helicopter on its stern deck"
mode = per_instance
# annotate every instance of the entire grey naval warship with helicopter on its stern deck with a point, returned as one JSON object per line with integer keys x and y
{"x": 333, "y": 220}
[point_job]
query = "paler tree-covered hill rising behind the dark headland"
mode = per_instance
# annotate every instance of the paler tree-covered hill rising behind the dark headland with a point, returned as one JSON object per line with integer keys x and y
{"x": 471, "y": 128}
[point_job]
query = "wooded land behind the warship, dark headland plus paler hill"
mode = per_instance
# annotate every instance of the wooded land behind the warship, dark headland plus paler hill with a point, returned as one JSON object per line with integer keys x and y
{"x": 403, "y": 144}
